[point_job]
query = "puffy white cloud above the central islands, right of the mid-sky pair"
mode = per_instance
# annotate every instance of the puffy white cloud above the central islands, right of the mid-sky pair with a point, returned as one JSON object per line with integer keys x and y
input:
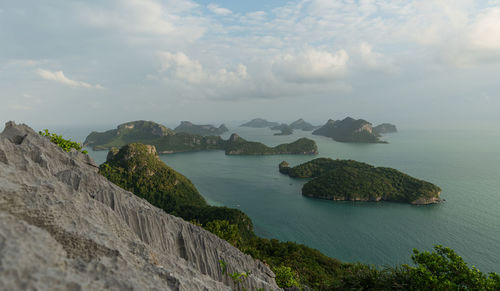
{"x": 311, "y": 66}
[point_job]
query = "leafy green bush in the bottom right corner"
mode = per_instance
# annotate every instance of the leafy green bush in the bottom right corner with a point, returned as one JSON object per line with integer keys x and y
{"x": 443, "y": 269}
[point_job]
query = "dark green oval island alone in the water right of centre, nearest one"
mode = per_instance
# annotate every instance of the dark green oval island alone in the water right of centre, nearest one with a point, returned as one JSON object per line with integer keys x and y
{"x": 355, "y": 181}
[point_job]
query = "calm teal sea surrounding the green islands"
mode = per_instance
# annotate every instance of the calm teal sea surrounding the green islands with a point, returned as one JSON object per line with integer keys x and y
{"x": 466, "y": 165}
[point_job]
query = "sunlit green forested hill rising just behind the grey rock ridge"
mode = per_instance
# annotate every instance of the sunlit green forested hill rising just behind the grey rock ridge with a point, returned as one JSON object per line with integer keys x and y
{"x": 138, "y": 169}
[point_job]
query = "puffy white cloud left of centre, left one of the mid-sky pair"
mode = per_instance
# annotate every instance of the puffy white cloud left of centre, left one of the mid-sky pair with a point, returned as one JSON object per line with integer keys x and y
{"x": 181, "y": 67}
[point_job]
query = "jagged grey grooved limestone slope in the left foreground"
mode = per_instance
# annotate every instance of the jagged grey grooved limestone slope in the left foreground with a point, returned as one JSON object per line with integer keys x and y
{"x": 65, "y": 227}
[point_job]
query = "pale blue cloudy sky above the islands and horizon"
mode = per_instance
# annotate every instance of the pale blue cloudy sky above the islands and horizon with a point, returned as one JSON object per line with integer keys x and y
{"x": 95, "y": 62}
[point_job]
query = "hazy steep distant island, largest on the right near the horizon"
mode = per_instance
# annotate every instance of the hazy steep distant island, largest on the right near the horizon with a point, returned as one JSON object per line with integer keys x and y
{"x": 349, "y": 130}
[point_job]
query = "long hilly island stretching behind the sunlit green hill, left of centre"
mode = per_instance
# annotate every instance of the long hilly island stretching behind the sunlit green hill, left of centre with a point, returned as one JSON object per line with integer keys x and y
{"x": 167, "y": 141}
